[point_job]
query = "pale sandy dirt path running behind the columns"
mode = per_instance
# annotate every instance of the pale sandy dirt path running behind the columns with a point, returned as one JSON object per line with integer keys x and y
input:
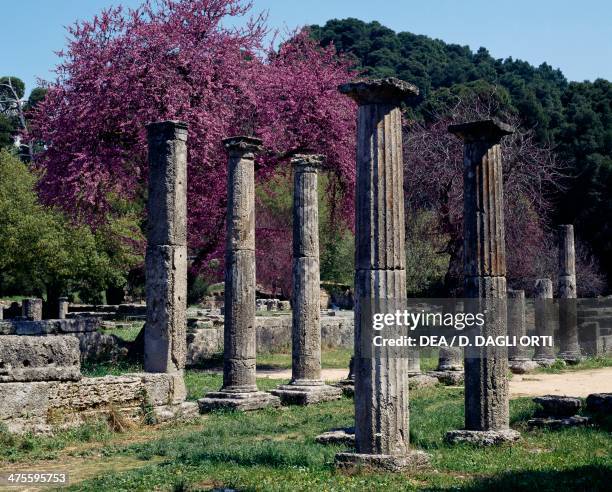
{"x": 571, "y": 383}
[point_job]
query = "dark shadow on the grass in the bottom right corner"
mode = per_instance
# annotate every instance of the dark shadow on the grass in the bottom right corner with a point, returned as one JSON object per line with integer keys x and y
{"x": 589, "y": 478}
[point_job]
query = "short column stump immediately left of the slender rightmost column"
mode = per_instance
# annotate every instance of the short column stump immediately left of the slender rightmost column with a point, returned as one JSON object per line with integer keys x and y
{"x": 543, "y": 305}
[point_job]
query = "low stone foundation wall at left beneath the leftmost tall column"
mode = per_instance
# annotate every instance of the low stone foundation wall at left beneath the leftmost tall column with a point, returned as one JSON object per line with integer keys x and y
{"x": 43, "y": 407}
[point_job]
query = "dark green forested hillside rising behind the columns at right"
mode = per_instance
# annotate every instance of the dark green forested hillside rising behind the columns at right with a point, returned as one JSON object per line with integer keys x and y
{"x": 575, "y": 118}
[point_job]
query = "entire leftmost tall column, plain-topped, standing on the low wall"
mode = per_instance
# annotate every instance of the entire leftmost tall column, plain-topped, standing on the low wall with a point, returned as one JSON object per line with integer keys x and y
{"x": 166, "y": 255}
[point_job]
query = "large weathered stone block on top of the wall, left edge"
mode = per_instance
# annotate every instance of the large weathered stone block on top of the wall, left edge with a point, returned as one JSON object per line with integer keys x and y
{"x": 24, "y": 358}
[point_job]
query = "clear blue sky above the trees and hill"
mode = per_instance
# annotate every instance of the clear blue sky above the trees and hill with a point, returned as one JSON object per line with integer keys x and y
{"x": 573, "y": 36}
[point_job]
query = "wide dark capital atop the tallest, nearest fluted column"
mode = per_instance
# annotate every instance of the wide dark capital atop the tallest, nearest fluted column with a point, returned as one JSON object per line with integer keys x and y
{"x": 379, "y": 91}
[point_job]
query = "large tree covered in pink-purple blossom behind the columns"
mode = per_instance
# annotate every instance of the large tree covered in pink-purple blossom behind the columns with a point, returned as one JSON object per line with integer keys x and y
{"x": 177, "y": 60}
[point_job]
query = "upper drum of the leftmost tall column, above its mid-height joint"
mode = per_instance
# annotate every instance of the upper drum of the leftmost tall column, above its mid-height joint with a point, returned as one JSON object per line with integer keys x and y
{"x": 167, "y": 199}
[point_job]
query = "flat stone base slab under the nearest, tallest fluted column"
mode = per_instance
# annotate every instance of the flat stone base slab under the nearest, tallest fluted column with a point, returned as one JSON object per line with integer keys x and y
{"x": 413, "y": 460}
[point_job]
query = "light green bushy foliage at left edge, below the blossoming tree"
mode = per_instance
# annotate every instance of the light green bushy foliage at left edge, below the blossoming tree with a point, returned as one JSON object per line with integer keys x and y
{"x": 42, "y": 253}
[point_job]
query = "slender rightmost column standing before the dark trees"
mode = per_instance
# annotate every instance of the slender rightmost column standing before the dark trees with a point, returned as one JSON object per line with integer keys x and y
{"x": 569, "y": 349}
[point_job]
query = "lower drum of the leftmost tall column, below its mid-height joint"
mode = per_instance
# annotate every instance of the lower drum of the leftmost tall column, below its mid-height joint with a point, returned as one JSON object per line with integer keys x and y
{"x": 166, "y": 286}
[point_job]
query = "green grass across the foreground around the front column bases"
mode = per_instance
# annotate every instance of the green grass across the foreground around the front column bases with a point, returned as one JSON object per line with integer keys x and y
{"x": 275, "y": 450}
